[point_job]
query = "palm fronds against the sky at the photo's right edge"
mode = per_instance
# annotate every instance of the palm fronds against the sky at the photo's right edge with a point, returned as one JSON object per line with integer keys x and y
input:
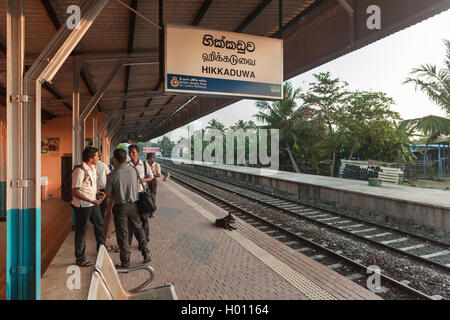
{"x": 433, "y": 82}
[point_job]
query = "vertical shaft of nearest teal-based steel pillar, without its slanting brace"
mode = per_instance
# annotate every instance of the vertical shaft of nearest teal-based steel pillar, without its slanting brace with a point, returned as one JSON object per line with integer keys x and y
{"x": 23, "y": 230}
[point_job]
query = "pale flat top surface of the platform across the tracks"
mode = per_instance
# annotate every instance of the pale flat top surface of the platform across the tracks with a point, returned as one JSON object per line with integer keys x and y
{"x": 432, "y": 197}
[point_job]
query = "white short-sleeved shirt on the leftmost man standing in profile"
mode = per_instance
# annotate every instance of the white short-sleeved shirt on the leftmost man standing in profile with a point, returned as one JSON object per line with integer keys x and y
{"x": 88, "y": 186}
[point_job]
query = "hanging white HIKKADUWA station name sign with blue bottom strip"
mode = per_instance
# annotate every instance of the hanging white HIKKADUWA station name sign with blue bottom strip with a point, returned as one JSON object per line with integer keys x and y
{"x": 218, "y": 63}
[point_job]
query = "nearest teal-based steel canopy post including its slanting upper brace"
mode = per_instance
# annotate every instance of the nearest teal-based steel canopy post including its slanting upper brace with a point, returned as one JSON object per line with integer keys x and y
{"x": 23, "y": 200}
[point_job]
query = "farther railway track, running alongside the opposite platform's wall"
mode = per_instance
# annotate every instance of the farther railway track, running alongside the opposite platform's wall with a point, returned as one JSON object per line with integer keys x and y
{"x": 400, "y": 242}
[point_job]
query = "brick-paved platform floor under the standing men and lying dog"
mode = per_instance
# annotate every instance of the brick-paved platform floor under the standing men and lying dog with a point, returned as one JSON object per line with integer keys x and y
{"x": 206, "y": 262}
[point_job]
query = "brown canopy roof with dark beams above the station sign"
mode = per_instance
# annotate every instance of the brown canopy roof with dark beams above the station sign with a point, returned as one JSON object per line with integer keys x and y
{"x": 314, "y": 32}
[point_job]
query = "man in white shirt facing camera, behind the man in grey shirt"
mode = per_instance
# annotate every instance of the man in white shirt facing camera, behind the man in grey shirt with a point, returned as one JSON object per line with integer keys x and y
{"x": 145, "y": 173}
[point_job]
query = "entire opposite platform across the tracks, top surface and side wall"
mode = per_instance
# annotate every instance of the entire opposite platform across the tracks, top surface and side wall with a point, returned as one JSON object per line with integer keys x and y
{"x": 414, "y": 208}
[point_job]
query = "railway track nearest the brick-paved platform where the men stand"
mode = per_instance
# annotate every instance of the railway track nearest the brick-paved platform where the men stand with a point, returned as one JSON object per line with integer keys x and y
{"x": 354, "y": 270}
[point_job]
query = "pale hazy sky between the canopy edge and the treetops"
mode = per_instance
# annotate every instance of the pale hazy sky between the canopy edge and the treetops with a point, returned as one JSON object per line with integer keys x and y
{"x": 381, "y": 66}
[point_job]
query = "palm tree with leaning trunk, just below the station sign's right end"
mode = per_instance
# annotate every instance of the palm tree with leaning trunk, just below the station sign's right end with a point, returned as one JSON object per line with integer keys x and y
{"x": 281, "y": 115}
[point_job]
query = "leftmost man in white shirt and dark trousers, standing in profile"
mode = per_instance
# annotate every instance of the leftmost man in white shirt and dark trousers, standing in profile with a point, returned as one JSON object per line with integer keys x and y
{"x": 86, "y": 205}
